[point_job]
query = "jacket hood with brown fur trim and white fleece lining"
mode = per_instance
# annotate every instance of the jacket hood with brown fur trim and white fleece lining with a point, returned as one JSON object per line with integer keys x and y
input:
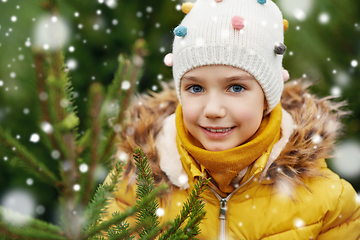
{"x": 309, "y": 129}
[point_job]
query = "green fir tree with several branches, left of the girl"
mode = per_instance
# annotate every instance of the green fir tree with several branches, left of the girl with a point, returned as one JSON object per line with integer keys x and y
{"x": 81, "y": 206}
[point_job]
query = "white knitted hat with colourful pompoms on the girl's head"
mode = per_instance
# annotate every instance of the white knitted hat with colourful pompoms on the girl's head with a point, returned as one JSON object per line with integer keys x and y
{"x": 247, "y": 34}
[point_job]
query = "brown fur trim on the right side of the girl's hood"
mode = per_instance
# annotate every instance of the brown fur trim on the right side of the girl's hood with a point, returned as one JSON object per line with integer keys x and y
{"x": 318, "y": 124}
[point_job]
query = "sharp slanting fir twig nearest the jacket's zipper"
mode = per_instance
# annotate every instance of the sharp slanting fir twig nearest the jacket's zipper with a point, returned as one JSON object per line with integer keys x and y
{"x": 192, "y": 207}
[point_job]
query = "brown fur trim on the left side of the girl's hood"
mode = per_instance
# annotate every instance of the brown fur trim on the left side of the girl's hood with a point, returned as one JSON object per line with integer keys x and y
{"x": 144, "y": 121}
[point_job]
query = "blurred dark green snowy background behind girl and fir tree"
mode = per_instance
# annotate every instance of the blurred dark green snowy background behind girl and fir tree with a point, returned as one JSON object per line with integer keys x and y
{"x": 323, "y": 43}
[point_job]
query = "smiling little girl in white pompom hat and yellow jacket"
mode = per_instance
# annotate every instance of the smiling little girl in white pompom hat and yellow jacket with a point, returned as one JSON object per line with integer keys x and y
{"x": 232, "y": 119}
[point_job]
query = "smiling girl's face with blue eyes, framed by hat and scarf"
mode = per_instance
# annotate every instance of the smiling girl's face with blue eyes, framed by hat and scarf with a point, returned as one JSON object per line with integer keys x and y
{"x": 222, "y": 106}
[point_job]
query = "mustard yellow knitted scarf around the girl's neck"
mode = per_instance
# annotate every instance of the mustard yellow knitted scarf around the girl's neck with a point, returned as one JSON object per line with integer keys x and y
{"x": 223, "y": 166}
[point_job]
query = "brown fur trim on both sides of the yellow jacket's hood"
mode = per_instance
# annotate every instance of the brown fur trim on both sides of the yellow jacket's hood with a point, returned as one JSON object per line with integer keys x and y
{"x": 318, "y": 123}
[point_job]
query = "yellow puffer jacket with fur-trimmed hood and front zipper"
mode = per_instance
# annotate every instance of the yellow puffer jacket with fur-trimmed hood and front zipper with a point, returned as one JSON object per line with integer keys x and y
{"x": 288, "y": 193}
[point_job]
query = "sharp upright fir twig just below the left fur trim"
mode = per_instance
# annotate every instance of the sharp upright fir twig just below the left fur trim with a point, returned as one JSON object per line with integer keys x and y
{"x": 145, "y": 185}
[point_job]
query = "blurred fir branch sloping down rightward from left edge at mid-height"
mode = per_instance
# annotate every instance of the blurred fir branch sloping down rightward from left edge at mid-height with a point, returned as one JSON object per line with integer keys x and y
{"x": 28, "y": 159}
